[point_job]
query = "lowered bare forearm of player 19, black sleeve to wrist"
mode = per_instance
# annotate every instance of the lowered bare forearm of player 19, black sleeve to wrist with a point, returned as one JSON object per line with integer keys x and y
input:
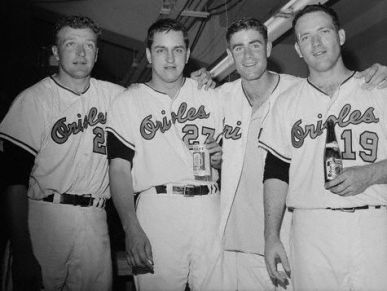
{"x": 275, "y": 192}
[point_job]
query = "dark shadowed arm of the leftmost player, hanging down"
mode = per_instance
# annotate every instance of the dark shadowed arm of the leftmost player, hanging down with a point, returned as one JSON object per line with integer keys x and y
{"x": 16, "y": 167}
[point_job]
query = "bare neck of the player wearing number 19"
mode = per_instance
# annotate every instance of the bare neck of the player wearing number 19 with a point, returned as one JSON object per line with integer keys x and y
{"x": 329, "y": 81}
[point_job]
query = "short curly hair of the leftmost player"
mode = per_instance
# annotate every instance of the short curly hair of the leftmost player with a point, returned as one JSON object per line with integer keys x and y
{"x": 74, "y": 21}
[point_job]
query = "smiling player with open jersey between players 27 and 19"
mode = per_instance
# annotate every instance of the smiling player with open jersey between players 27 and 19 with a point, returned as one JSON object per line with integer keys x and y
{"x": 247, "y": 101}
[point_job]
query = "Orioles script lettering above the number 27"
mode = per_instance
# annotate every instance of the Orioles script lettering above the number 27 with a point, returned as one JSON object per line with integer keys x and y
{"x": 149, "y": 128}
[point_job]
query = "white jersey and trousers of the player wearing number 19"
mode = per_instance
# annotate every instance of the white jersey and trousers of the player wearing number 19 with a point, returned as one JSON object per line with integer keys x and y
{"x": 332, "y": 250}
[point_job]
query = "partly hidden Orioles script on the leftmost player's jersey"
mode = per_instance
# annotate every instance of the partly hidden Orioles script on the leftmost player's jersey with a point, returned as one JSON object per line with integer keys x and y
{"x": 61, "y": 130}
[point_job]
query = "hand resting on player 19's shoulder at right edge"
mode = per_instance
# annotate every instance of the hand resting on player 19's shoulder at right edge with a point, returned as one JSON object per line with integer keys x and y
{"x": 374, "y": 77}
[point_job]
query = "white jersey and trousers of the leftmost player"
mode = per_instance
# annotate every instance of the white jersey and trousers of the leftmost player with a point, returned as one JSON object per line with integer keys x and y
{"x": 65, "y": 132}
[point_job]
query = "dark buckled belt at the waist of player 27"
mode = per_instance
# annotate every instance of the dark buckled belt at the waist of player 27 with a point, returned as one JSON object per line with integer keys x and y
{"x": 187, "y": 190}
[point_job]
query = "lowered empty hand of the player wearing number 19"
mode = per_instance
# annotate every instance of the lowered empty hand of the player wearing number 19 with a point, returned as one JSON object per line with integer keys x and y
{"x": 274, "y": 254}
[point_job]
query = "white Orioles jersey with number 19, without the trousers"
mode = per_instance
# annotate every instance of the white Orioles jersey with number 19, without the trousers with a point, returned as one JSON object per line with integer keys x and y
{"x": 294, "y": 132}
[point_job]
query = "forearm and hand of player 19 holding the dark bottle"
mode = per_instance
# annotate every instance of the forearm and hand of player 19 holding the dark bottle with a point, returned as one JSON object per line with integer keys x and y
{"x": 354, "y": 180}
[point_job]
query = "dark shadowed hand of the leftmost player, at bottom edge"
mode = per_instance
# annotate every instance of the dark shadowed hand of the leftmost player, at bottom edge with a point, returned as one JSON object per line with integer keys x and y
{"x": 26, "y": 272}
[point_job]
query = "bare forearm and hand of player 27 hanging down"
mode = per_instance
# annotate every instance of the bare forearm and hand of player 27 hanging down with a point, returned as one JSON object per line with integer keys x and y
{"x": 138, "y": 248}
